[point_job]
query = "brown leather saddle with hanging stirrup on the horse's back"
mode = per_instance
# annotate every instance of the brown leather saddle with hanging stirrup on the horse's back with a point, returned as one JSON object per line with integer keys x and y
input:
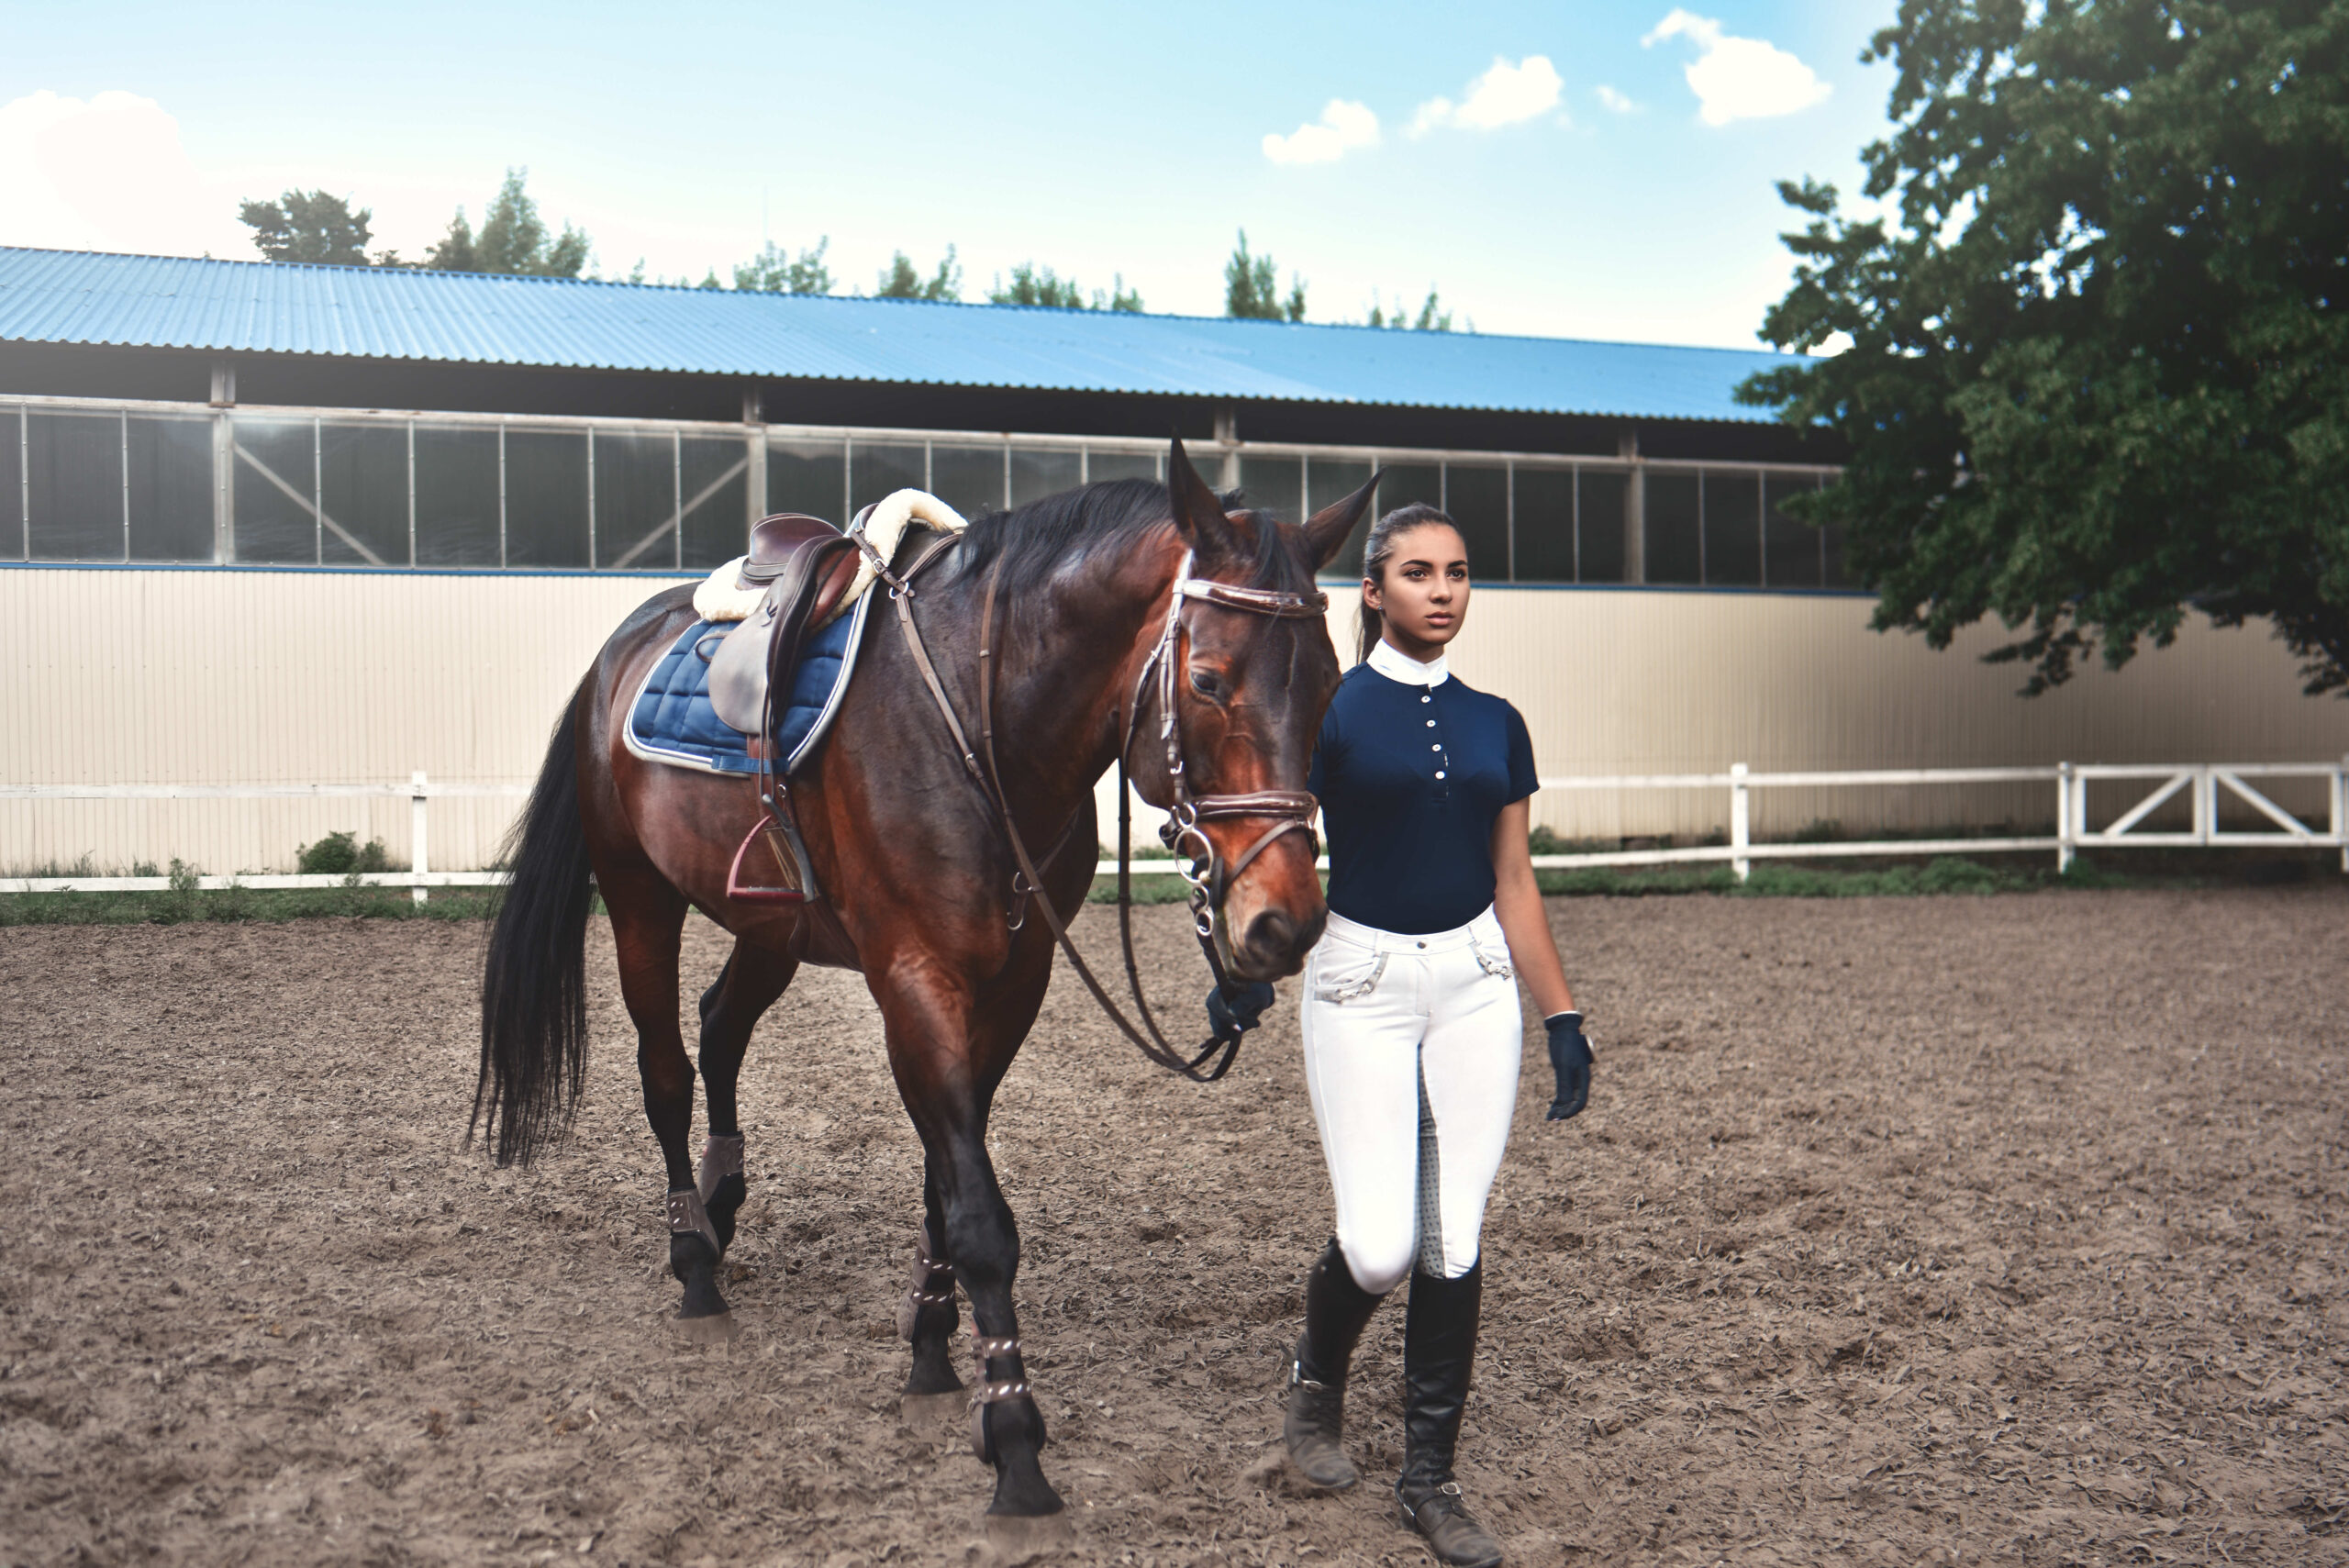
{"x": 807, "y": 567}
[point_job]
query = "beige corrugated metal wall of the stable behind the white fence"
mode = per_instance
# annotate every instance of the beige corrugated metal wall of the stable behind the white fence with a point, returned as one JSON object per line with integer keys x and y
{"x": 220, "y": 677}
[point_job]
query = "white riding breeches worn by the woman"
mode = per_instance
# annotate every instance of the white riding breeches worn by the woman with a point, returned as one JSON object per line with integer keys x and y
{"x": 1413, "y": 1050}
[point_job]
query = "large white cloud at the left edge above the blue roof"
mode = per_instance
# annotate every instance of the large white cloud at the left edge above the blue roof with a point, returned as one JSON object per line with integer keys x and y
{"x": 109, "y": 175}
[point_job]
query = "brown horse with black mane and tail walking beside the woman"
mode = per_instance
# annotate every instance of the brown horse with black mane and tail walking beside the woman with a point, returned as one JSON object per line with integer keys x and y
{"x": 917, "y": 860}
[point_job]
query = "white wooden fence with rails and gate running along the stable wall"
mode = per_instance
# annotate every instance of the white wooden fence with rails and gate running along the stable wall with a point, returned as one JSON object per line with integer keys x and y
{"x": 2205, "y": 785}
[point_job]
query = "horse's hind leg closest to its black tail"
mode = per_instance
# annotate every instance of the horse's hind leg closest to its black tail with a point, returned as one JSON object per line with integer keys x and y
{"x": 647, "y": 928}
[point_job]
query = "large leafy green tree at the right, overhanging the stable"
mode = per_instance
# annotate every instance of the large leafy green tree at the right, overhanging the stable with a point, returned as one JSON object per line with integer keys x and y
{"x": 2099, "y": 342}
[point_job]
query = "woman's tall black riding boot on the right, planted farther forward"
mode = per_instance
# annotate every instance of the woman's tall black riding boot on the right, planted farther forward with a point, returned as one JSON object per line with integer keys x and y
{"x": 1439, "y": 1346}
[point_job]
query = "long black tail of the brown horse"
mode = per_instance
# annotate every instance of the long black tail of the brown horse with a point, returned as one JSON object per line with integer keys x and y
{"x": 534, "y": 985}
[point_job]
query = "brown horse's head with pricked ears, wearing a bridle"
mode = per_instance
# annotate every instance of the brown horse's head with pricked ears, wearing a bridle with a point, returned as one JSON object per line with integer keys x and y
{"x": 1227, "y": 710}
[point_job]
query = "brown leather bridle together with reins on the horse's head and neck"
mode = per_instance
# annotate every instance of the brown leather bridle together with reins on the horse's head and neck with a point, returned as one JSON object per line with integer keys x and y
{"x": 1204, "y": 870}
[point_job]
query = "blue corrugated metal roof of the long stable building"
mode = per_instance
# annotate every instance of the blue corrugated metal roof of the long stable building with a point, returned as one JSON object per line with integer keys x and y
{"x": 262, "y": 309}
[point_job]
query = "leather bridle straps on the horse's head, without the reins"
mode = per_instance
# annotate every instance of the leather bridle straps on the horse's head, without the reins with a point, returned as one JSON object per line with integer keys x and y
{"x": 1288, "y": 809}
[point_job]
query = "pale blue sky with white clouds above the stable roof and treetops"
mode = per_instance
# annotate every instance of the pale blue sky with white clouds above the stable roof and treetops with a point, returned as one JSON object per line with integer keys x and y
{"x": 1563, "y": 170}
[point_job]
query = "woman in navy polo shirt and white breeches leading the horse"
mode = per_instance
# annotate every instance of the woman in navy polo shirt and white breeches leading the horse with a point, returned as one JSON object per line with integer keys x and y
{"x": 1411, "y": 1013}
